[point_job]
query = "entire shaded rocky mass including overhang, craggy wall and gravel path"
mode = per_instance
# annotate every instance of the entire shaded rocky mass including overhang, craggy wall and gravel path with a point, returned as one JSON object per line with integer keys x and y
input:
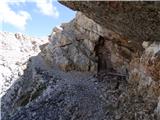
{"x": 126, "y": 85}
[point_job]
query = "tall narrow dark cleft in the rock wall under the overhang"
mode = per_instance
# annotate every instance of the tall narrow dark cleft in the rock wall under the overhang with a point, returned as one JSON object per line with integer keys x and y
{"x": 104, "y": 56}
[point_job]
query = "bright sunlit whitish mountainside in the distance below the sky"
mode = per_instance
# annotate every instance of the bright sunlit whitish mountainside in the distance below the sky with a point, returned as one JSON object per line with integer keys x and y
{"x": 15, "y": 50}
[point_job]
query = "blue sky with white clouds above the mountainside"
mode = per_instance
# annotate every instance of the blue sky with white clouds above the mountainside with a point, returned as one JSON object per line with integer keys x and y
{"x": 33, "y": 17}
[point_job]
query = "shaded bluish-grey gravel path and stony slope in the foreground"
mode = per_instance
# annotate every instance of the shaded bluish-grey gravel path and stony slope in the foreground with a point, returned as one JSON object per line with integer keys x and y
{"x": 43, "y": 93}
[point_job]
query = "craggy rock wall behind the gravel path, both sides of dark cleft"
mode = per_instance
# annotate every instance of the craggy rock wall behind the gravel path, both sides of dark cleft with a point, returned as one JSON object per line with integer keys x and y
{"x": 76, "y": 46}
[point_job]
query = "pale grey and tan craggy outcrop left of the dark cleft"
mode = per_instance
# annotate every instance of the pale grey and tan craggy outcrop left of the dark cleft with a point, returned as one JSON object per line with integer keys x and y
{"x": 72, "y": 47}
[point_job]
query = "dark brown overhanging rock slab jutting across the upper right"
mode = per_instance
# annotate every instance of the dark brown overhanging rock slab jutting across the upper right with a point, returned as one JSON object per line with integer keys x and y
{"x": 138, "y": 21}
